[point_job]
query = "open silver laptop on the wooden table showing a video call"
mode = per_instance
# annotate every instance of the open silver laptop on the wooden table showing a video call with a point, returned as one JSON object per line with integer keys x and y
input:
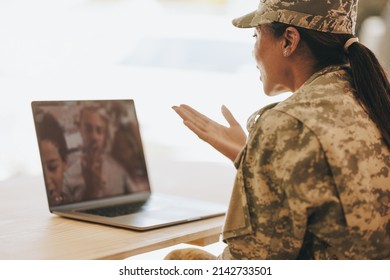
{"x": 95, "y": 170}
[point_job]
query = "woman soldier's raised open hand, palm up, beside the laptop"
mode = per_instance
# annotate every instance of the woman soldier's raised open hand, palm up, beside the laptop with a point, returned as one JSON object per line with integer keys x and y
{"x": 227, "y": 140}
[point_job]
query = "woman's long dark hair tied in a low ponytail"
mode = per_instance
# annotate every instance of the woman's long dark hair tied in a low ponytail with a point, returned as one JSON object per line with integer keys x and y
{"x": 372, "y": 86}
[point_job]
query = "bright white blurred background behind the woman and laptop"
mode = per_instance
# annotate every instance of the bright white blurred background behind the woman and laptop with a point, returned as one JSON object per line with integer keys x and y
{"x": 158, "y": 52}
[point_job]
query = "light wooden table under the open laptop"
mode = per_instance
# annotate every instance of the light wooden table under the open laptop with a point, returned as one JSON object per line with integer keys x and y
{"x": 29, "y": 231}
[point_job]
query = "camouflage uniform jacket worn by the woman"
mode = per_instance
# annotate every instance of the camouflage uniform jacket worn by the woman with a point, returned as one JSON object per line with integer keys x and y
{"x": 313, "y": 180}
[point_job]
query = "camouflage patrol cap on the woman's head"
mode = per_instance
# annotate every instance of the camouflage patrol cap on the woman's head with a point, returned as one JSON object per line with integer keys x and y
{"x": 333, "y": 16}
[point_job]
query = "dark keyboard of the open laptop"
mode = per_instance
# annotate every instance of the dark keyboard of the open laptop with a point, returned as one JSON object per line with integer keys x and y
{"x": 116, "y": 210}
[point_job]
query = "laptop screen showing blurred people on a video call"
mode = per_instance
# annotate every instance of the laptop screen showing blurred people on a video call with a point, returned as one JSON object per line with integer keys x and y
{"x": 89, "y": 149}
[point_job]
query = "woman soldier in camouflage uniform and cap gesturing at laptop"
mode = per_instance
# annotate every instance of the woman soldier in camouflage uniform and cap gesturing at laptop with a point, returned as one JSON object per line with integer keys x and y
{"x": 313, "y": 176}
